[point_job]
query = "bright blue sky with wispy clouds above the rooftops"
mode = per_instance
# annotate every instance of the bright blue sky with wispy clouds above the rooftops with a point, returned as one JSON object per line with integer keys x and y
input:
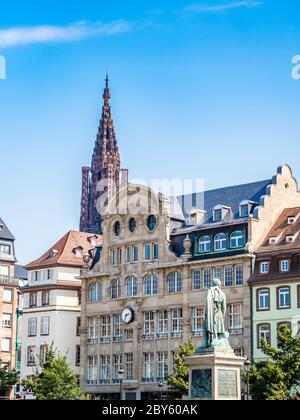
{"x": 200, "y": 89}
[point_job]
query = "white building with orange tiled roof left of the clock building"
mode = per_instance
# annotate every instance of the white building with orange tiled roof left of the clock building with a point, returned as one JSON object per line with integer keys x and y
{"x": 52, "y": 302}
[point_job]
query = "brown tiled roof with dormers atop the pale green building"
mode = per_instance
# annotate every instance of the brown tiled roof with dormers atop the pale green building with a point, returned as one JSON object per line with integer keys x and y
{"x": 280, "y": 230}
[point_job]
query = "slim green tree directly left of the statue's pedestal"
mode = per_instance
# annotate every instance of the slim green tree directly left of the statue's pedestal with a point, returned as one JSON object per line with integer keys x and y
{"x": 179, "y": 381}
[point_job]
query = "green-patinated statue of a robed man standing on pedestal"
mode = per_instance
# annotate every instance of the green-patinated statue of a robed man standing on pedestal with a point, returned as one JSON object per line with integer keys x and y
{"x": 215, "y": 310}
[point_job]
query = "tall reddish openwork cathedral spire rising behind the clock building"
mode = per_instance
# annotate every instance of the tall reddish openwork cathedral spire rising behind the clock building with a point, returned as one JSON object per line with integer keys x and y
{"x": 102, "y": 180}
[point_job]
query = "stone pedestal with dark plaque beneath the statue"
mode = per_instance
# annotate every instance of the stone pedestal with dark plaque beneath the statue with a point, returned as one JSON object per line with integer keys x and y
{"x": 215, "y": 376}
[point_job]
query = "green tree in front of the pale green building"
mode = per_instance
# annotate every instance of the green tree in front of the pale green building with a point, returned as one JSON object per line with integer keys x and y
{"x": 276, "y": 377}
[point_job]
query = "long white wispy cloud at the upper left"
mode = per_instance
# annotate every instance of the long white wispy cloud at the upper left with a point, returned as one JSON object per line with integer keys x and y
{"x": 13, "y": 37}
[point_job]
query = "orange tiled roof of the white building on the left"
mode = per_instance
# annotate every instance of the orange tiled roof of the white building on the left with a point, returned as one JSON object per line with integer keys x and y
{"x": 62, "y": 253}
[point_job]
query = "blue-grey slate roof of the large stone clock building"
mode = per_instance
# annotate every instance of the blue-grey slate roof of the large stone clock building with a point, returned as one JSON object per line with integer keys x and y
{"x": 228, "y": 196}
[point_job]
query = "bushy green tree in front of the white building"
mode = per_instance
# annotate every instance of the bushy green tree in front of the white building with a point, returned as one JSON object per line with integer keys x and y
{"x": 54, "y": 380}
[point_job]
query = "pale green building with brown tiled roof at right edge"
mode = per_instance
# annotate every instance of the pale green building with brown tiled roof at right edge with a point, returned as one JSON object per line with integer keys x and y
{"x": 275, "y": 282}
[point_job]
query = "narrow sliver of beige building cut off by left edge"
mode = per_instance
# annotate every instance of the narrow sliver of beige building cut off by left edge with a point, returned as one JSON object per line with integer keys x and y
{"x": 9, "y": 297}
